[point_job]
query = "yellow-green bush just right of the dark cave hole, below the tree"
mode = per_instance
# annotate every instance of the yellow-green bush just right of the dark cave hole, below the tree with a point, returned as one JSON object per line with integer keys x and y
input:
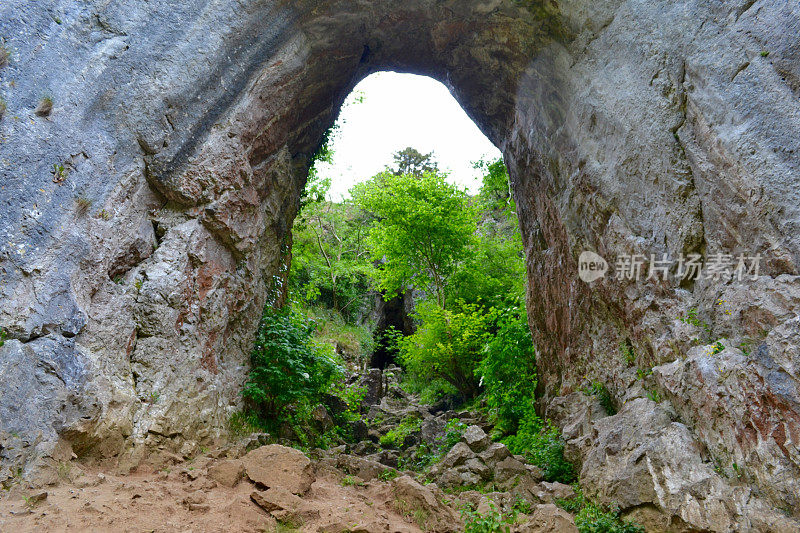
{"x": 448, "y": 345}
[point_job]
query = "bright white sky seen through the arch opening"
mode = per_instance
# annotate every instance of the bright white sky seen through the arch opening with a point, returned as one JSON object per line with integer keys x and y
{"x": 401, "y": 110}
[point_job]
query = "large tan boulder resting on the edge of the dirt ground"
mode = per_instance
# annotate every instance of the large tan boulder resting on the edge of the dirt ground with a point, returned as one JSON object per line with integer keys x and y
{"x": 278, "y": 466}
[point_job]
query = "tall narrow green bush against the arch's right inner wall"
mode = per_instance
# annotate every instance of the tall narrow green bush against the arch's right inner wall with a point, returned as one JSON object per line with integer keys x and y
{"x": 508, "y": 369}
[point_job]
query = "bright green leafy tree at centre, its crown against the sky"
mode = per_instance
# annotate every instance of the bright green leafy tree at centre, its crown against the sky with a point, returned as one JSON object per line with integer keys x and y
{"x": 424, "y": 226}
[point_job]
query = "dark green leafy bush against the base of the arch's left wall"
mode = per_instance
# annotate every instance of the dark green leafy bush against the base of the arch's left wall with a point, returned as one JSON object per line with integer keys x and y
{"x": 289, "y": 373}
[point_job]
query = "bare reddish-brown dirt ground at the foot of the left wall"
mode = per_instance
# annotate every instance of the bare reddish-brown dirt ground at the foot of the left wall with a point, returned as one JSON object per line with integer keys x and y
{"x": 185, "y": 499}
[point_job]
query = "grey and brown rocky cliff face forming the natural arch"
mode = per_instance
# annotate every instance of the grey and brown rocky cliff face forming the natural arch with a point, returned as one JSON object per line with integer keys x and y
{"x": 132, "y": 279}
